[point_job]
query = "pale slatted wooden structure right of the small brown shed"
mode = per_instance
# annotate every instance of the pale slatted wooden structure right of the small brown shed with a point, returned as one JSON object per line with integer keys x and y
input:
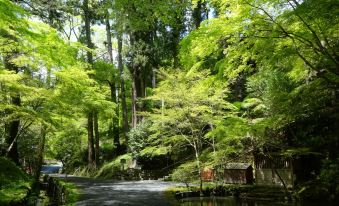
{"x": 274, "y": 170}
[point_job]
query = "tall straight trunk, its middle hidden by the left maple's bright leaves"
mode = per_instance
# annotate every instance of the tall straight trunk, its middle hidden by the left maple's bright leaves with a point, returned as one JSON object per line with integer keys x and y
{"x": 87, "y": 18}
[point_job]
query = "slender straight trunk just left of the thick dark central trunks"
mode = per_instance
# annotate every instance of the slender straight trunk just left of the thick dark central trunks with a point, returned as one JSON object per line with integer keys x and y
{"x": 125, "y": 126}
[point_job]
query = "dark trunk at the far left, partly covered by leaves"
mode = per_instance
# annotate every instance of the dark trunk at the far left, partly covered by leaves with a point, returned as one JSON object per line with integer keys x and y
{"x": 12, "y": 128}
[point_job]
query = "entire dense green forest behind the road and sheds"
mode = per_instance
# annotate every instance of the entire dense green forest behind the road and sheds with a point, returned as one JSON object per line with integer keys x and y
{"x": 176, "y": 84}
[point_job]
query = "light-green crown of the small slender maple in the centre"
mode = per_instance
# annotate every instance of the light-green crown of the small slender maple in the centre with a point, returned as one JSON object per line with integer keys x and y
{"x": 186, "y": 111}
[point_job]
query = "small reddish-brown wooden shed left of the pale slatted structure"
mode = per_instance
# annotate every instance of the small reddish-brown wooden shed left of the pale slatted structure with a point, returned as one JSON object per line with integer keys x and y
{"x": 238, "y": 173}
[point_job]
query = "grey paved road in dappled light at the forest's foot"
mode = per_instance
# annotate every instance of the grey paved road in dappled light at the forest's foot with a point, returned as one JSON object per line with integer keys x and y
{"x": 136, "y": 193}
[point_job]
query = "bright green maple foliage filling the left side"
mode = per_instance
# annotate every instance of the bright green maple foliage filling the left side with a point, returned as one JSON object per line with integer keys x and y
{"x": 52, "y": 83}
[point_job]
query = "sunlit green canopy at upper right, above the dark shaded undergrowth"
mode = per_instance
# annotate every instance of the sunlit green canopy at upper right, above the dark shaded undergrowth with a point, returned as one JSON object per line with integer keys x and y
{"x": 284, "y": 52}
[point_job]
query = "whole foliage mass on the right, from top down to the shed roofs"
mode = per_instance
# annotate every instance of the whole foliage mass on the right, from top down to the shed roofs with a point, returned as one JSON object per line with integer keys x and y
{"x": 285, "y": 54}
